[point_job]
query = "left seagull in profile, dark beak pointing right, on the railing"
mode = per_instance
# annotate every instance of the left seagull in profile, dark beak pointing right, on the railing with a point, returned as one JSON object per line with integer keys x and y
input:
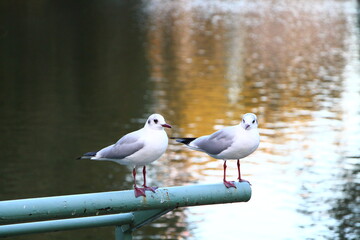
{"x": 137, "y": 148}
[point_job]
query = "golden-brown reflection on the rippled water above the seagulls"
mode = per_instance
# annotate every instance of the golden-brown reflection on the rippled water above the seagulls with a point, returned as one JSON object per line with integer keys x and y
{"x": 209, "y": 68}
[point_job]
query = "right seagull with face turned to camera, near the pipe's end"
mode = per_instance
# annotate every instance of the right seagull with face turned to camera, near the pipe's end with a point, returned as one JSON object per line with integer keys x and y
{"x": 229, "y": 143}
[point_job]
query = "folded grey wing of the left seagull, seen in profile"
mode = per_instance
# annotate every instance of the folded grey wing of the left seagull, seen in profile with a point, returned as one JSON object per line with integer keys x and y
{"x": 126, "y": 146}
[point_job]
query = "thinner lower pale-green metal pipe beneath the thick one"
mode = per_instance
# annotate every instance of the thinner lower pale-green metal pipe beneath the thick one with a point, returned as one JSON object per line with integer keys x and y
{"x": 66, "y": 224}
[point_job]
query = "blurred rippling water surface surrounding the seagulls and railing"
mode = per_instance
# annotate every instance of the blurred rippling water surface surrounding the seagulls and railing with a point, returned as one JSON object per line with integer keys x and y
{"x": 75, "y": 76}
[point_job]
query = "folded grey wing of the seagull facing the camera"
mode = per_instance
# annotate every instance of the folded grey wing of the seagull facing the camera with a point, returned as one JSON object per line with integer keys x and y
{"x": 215, "y": 143}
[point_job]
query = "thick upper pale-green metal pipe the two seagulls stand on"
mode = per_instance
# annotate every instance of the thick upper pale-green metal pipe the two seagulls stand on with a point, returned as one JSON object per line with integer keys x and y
{"x": 70, "y": 206}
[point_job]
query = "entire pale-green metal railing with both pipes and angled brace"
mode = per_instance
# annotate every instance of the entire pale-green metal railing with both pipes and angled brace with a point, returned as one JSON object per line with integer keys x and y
{"x": 120, "y": 208}
